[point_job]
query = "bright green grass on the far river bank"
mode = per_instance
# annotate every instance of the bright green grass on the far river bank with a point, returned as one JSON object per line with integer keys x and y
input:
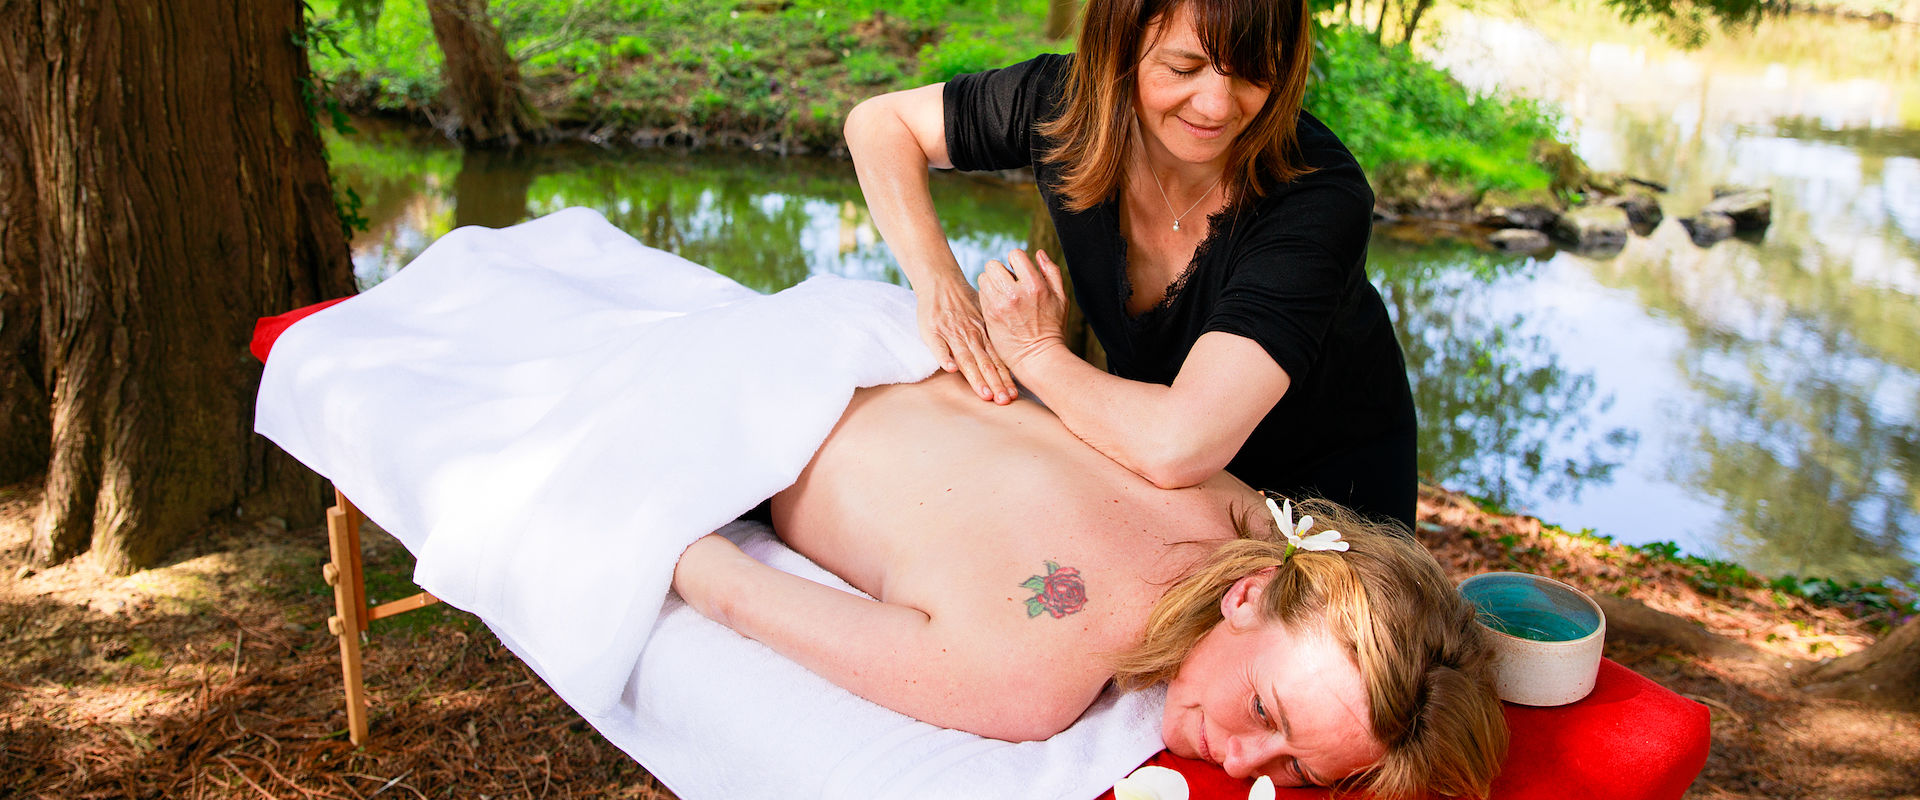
{"x": 794, "y": 70}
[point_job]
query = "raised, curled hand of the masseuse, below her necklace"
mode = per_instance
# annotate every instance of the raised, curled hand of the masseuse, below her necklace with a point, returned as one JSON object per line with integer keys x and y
{"x": 1026, "y": 306}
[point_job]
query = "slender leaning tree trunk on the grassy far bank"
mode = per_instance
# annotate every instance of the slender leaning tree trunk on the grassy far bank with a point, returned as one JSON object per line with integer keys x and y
{"x": 485, "y": 89}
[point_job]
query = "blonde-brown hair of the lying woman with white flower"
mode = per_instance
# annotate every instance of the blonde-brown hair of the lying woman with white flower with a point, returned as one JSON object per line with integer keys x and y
{"x": 1428, "y": 665}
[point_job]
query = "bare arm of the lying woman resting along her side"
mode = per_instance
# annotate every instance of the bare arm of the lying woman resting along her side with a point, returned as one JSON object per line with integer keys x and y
{"x": 924, "y": 667}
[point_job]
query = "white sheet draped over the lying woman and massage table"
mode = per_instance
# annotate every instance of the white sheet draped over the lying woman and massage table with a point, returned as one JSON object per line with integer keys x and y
{"x": 546, "y": 415}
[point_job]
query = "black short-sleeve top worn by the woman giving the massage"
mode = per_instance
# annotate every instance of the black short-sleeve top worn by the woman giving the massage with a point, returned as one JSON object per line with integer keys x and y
{"x": 1285, "y": 271}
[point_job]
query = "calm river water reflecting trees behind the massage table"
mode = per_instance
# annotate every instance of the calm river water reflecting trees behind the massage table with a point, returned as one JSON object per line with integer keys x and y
{"x": 1758, "y": 400}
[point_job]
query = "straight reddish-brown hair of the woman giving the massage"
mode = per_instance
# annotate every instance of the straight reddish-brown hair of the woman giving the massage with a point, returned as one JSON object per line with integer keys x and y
{"x": 1262, "y": 41}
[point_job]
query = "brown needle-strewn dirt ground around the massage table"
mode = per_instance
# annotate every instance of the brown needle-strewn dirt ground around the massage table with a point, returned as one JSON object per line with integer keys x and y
{"x": 214, "y": 676}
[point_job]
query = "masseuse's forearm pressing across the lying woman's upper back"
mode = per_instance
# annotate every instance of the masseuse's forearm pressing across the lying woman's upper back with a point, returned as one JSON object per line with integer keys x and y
{"x": 1136, "y": 423}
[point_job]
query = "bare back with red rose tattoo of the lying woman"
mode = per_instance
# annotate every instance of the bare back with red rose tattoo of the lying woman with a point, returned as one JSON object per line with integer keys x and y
{"x": 988, "y": 519}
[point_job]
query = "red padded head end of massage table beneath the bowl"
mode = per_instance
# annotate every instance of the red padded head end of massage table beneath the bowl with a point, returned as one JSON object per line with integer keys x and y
{"x": 1631, "y": 740}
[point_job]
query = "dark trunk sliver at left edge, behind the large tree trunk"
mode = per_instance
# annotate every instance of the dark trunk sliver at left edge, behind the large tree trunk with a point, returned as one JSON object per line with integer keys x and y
{"x": 24, "y": 425}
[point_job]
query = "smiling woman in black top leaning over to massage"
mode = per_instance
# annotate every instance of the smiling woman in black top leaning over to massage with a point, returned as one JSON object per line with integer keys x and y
{"x": 1216, "y": 239}
